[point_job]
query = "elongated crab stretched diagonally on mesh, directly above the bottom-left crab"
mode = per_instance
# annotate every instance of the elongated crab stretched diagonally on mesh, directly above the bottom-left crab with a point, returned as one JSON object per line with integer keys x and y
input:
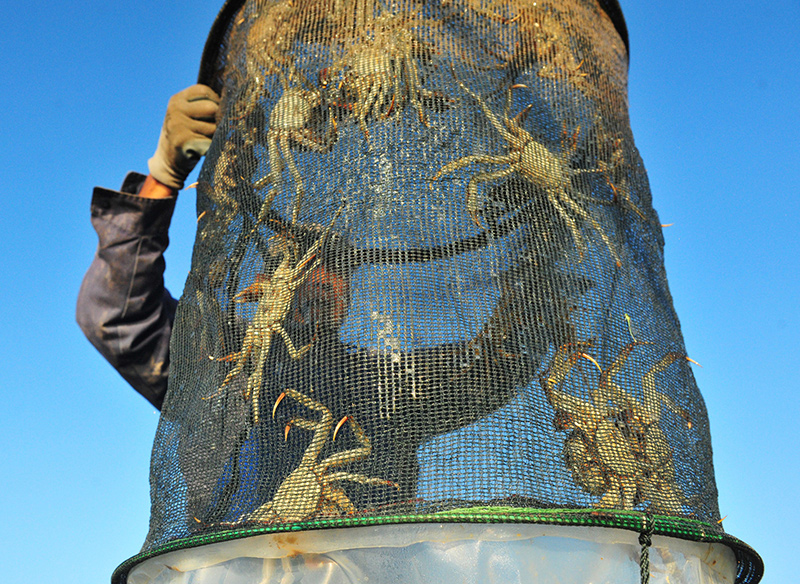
{"x": 274, "y": 295}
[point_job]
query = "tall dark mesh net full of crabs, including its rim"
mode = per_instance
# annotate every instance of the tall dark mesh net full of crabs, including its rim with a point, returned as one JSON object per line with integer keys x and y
{"x": 427, "y": 284}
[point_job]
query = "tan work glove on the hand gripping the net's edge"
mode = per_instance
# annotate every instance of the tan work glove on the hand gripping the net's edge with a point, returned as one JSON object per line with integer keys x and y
{"x": 186, "y": 135}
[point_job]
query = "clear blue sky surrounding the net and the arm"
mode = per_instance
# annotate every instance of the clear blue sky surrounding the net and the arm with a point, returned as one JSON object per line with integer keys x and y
{"x": 715, "y": 108}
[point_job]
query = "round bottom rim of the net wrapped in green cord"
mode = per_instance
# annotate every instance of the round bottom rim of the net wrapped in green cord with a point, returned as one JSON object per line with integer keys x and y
{"x": 750, "y": 566}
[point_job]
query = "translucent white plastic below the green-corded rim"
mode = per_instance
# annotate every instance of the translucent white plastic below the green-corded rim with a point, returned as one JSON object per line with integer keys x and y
{"x": 442, "y": 554}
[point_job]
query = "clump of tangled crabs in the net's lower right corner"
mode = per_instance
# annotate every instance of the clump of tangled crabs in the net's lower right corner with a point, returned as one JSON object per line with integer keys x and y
{"x": 614, "y": 447}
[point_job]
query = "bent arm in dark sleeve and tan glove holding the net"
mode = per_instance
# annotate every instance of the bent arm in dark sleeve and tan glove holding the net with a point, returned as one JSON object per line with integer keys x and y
{"x": 123, "y": 307}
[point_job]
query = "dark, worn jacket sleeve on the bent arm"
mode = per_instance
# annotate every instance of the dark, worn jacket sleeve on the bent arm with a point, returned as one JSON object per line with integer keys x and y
{"x": 123, "y": 307}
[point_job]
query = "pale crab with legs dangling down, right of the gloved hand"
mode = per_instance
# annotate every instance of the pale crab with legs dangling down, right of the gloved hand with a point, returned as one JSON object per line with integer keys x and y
{"x": 291, "y": 124}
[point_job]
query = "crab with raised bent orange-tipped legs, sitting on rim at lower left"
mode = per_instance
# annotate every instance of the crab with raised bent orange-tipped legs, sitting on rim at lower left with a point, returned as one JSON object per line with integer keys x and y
{"x": 310, "y": 490}
